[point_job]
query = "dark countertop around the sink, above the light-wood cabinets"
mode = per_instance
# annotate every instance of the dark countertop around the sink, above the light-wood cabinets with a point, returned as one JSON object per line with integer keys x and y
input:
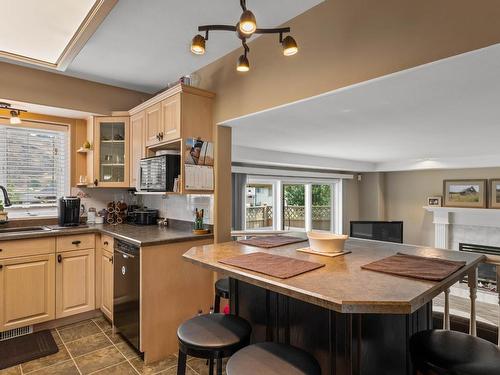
{"x": 145, "y": 235}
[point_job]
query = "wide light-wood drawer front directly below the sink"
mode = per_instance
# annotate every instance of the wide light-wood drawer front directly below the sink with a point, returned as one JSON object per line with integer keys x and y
{"x": 27, "y": 247}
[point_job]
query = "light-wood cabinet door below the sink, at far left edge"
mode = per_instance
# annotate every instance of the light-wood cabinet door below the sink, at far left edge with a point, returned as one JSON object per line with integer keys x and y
{"x": 27, "y": 291}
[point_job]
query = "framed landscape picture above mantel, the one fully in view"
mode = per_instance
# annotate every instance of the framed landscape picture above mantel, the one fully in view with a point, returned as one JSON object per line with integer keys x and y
{"x": 465, "y": 193}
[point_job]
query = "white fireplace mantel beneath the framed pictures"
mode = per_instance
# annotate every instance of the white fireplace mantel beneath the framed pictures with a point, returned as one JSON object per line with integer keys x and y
{"x": 445, "y": 216}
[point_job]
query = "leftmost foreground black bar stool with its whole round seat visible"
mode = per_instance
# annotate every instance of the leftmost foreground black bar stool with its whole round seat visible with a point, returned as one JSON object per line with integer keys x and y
{"x": 211, "y": 336}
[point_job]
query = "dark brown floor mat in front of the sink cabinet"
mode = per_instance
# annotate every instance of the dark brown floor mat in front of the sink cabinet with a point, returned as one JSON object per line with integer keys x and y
{"x": 26, "y": 348}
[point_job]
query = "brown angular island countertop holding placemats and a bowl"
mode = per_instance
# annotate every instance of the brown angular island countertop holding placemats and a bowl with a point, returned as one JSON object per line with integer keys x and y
{"x": 342, "y": 285}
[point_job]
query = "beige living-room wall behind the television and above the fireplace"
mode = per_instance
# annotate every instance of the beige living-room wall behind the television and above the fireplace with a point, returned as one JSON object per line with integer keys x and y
{"x": 405, "y": 194}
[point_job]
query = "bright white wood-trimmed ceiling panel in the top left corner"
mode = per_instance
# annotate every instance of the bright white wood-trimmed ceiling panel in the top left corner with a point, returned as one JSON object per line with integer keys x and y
{"x": 40, "y": 29}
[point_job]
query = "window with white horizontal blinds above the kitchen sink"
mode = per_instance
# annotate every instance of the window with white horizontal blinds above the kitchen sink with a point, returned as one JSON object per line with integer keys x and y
{"x": 33, "y": 164}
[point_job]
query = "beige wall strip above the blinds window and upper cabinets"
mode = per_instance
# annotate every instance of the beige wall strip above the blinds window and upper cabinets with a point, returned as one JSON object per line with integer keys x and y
{"x": 56, "y": 90}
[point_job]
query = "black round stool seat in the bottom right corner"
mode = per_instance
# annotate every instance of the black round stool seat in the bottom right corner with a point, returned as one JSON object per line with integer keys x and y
{"x": 446, "y": 352}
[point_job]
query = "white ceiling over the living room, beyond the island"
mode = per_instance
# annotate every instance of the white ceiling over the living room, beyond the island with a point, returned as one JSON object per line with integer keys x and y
{"x": 448, "y": 110}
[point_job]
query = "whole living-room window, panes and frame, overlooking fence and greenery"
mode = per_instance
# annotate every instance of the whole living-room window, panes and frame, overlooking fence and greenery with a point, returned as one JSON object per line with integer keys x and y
{"x": 293, "y": 204}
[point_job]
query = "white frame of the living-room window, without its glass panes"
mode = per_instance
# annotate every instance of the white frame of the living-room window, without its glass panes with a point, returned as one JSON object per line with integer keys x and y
{"x": 336, "y": 218}
